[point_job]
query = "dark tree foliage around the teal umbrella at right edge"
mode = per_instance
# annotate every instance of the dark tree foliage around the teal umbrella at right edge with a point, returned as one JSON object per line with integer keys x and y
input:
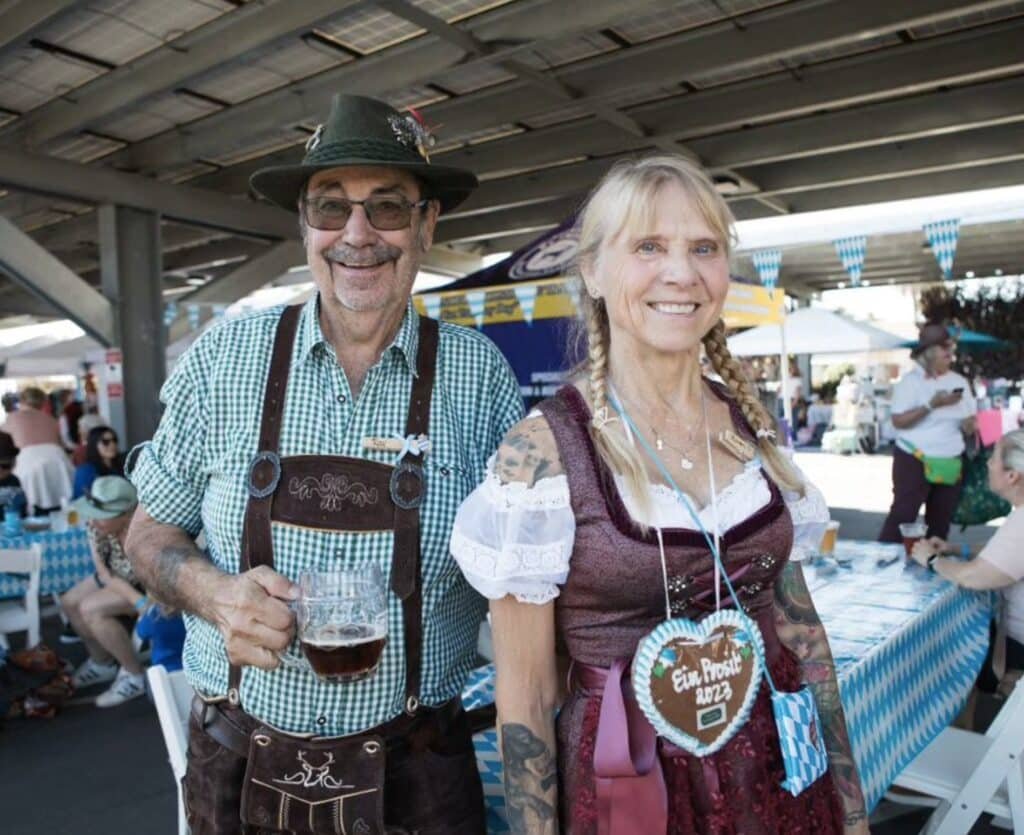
{"x": 994, "y": 310}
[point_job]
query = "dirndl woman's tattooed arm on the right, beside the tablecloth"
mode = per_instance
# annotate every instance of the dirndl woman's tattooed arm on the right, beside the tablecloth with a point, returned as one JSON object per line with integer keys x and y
{"x": 799, "y": 628}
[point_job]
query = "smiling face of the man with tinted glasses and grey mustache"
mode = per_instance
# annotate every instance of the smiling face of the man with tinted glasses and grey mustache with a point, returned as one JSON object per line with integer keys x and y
{"x": 361, "y": 268}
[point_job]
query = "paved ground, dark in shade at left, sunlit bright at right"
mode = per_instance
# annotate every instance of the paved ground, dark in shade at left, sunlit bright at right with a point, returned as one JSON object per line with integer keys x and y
{"x": 95, "y": 772}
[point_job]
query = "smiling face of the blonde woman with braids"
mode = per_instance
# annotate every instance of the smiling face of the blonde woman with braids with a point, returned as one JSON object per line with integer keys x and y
{"x": 664, "y": 287}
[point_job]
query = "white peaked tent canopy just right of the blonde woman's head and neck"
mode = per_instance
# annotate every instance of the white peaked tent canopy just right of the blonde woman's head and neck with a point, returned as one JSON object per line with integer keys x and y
{"x": 814, "y": 330}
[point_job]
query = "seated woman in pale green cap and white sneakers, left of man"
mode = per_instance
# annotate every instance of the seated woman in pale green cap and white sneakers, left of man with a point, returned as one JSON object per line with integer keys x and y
{"x": 97, "y": 605}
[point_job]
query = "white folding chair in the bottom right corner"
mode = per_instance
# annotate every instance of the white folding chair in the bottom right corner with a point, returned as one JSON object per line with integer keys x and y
{"x": 971, "y": 774}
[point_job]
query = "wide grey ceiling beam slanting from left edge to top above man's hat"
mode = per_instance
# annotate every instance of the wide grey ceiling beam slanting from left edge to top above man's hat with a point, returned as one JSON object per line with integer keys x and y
{"x": 173, "y": 64}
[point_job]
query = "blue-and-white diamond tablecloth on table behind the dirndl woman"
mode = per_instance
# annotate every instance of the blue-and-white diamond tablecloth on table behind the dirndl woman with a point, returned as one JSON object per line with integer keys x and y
{"x": 908, "y": 647}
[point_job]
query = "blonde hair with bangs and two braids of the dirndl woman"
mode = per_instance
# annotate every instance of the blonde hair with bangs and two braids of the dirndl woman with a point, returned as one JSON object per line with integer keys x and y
{"x": 625, "y": 200}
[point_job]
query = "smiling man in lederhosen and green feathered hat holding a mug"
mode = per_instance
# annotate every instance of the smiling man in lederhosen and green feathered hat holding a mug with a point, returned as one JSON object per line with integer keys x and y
{"x": 372, "y": 431}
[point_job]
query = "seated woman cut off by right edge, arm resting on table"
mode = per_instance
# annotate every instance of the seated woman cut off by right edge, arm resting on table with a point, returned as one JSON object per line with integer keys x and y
{"x": 1001, "y": 564}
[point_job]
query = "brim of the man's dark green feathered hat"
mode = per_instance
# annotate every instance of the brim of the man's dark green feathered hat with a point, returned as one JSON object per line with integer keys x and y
{"x": 283, "y": 184}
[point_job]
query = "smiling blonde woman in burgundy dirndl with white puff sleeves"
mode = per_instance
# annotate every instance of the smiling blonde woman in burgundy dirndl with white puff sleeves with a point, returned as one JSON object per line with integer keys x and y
{"x": 566, "y": 536}
